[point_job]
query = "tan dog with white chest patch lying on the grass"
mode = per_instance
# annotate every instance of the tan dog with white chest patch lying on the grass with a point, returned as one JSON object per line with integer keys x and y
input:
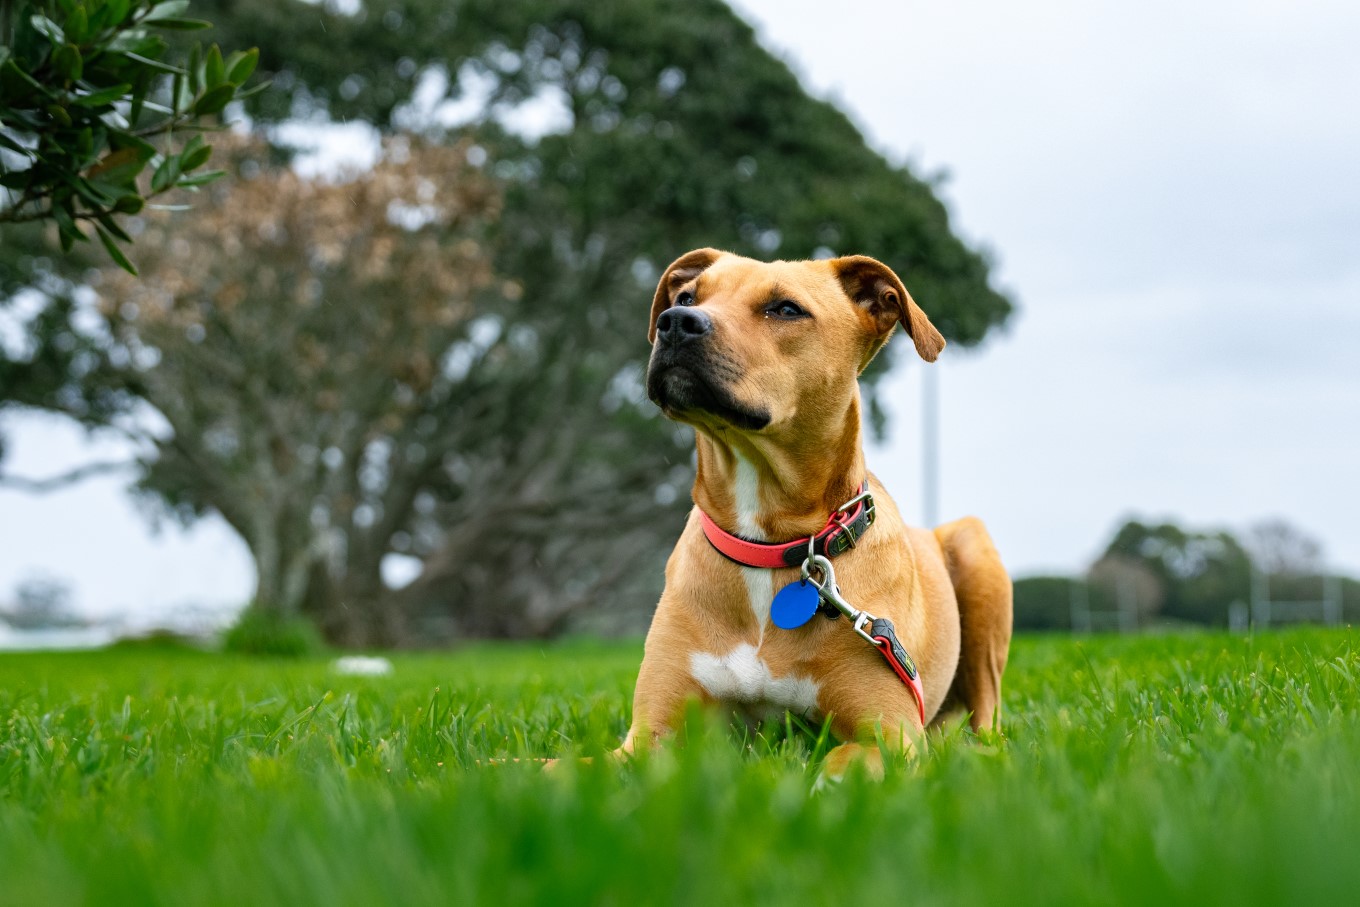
{"x": 762, "y": 360}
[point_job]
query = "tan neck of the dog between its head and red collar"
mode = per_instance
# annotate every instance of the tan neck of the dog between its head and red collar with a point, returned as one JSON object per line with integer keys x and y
{"x": 780, "y": 486}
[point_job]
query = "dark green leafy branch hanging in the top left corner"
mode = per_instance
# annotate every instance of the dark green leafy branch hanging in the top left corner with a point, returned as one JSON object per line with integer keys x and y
{"x": 84, "y": 96}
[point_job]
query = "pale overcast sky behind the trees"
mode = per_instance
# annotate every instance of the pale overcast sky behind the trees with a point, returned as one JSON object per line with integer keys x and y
{"x": 1173, "y": 195}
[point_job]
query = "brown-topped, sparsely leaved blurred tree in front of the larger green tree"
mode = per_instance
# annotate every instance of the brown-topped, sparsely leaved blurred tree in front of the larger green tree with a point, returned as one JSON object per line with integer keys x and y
{"x": 312, "y": 398}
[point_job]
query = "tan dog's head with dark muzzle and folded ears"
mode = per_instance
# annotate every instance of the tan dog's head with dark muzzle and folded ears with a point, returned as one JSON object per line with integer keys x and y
{"x": 750, "y": 346}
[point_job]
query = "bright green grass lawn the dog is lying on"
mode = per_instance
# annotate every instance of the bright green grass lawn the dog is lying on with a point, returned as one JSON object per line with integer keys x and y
{"x": 1197, "y": 769}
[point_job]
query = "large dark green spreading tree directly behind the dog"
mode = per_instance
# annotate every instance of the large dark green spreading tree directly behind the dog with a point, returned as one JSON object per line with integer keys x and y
{"x": 662, "y": 127}
